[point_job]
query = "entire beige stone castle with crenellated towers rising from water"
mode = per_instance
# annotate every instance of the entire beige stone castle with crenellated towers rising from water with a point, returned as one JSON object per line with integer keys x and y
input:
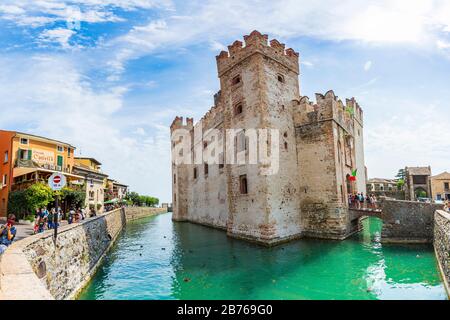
{"x": 320, "y": 145}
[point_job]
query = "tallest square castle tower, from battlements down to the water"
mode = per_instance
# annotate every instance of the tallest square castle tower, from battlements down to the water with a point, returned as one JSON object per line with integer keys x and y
{"x": 257, "y": 83}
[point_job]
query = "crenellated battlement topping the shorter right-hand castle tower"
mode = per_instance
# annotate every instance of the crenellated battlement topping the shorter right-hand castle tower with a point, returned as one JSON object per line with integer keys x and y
{"x": 327, "y": 107}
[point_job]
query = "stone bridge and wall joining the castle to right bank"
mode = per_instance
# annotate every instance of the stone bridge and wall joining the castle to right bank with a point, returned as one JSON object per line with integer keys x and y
{"x": 403, "y": 221}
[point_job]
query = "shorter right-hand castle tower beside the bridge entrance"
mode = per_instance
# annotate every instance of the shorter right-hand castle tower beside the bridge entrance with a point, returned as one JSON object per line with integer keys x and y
{"x": 329, "y": 145}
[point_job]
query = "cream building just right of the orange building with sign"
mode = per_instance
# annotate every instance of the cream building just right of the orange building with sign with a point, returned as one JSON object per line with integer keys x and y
{"x": 94, "y": 181}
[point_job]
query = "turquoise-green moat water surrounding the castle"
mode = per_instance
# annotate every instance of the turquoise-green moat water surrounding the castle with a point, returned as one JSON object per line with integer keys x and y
{"x": 155, "y": 258}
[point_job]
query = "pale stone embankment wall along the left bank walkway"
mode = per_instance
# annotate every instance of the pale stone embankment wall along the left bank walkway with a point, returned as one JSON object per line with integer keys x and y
{"x": 36, "y": 268}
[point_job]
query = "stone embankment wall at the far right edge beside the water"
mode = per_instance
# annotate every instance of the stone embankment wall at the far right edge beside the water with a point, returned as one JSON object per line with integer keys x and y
{"x": 442, "y": 245}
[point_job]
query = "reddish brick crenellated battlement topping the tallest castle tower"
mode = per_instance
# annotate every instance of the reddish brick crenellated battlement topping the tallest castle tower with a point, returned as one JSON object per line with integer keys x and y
{"x": 256, "y": 42}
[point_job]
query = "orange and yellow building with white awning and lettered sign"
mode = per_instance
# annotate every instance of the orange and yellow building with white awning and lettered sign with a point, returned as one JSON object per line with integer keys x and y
{"x": 28, "y": 159}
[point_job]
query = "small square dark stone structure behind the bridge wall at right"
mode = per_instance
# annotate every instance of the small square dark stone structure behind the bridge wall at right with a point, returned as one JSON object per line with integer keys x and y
{"x": 417, "y": 182}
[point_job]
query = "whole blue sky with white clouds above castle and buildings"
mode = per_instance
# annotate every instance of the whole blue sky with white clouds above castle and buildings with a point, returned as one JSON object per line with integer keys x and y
{"x": 109, "y": 76}
